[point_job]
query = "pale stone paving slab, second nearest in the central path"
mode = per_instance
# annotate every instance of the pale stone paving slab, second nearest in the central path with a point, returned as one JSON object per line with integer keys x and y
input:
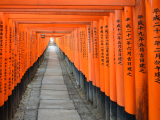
{"x": 57, "y": 104}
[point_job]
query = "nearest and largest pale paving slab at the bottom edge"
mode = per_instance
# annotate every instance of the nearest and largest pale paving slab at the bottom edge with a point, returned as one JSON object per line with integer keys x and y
{"x": 52, "y": 114}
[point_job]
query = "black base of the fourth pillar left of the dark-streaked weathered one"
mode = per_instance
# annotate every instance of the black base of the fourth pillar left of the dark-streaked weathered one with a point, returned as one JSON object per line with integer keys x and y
{"x": 107, "y": 108}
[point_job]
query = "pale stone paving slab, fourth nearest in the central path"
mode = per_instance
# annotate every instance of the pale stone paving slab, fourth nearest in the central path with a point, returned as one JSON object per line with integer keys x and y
{"x": 54, "y": 87}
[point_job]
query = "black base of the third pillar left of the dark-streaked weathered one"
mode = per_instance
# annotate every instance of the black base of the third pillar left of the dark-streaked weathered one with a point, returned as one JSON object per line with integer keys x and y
{"x": 113, "y": 110}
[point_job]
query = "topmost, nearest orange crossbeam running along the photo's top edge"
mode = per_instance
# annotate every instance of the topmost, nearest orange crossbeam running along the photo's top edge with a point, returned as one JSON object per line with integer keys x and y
{"x": 69, "y": 2}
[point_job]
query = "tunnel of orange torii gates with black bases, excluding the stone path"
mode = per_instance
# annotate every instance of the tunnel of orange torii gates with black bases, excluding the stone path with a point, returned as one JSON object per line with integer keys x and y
{"x": 111, "y": 46}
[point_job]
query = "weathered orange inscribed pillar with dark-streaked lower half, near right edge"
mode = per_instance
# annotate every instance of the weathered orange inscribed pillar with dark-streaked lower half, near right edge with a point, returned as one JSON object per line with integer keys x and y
{"x": 140, "y": 48}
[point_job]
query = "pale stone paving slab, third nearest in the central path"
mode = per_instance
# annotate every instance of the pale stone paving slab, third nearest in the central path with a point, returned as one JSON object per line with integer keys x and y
{"x": 50, "y": 94}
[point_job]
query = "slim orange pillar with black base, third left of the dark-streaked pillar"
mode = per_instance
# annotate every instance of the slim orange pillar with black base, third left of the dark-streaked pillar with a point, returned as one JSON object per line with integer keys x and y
{"x": 112, "y": 70}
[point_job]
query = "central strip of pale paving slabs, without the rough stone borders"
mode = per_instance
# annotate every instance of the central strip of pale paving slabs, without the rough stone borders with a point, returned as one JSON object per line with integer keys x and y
{"x": 55, "y": 103}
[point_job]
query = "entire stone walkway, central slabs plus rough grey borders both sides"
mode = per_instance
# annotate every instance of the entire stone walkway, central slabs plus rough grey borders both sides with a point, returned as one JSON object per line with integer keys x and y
{"x": 53, "y": 93}
